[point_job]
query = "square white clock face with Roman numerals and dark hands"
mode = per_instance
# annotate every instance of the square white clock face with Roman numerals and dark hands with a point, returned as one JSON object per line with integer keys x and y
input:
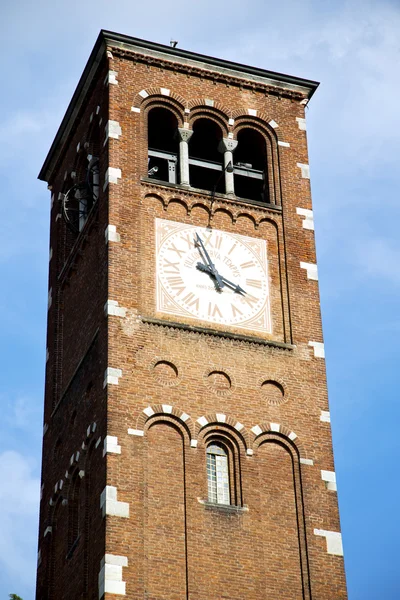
{"x": 212, "y": 275}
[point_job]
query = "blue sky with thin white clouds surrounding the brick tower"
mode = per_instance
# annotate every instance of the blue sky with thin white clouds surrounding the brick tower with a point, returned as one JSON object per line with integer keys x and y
{"x": 352, "y": 47}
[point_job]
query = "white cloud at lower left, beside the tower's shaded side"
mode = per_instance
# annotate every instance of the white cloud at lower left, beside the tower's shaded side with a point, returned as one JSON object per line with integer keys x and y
{"x": 19, "y": 497}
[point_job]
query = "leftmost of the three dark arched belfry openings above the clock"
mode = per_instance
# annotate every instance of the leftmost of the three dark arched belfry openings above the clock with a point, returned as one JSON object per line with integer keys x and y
{"x": 162, "y": 144}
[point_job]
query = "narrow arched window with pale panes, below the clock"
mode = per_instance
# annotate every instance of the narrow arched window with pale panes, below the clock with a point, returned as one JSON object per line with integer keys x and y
{"x": 218, "y": 474}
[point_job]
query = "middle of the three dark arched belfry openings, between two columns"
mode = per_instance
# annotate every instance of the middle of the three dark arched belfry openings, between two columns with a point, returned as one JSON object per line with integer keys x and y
{"x": 205, "y": 158}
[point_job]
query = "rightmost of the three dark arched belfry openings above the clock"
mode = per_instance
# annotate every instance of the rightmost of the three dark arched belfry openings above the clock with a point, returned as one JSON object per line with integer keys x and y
{"x": 250, "y": 166}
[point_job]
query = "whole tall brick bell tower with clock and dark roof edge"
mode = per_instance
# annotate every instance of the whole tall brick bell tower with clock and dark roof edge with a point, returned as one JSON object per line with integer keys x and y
{"x": 187, "y": 448}
